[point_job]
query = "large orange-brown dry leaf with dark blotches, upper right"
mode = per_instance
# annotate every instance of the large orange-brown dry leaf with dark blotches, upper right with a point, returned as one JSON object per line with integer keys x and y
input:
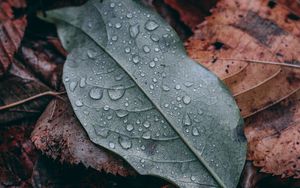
{"x": 243, "y": 29}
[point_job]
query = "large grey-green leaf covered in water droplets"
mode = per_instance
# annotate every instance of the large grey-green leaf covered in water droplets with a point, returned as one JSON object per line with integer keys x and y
{"x": 136, "y": 92}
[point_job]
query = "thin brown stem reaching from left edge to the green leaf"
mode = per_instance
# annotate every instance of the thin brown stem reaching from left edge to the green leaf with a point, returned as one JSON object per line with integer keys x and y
{"x": 48, "y": 93}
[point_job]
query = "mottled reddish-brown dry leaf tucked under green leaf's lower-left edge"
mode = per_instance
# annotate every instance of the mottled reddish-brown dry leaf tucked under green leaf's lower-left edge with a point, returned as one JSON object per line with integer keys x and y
{"x": 59, "y": 134}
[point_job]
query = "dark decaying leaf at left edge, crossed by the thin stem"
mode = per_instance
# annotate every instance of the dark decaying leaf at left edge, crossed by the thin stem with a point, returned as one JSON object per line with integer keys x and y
{"x": 21, "y": 84}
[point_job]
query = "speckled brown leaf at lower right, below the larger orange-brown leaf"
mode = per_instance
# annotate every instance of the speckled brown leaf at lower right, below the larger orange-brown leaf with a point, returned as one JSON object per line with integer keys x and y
{"x": 274, "y": 138}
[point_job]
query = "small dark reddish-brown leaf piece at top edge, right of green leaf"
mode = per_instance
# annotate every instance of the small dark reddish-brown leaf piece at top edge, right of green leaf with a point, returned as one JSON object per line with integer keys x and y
{"x": 192, "y": 12}
